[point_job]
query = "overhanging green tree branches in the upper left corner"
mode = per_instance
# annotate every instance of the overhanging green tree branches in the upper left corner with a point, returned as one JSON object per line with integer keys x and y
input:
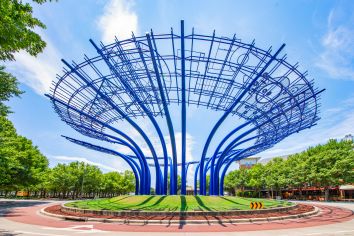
{"x": 17, "y": 32}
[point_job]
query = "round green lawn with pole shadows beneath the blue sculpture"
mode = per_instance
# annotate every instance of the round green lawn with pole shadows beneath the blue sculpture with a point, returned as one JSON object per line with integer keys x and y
{"x": 173, "y": 203}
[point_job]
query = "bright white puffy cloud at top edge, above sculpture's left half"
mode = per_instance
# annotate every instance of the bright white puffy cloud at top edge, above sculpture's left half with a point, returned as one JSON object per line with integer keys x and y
{"x": 118, "y": 19}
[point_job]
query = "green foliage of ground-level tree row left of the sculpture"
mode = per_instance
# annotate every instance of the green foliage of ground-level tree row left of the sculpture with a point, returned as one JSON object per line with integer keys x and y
{"x": 23, "y": 167}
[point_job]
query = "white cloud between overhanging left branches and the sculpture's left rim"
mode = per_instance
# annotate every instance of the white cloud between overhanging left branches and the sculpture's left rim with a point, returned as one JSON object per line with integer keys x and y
{"x": 37, "y": 72}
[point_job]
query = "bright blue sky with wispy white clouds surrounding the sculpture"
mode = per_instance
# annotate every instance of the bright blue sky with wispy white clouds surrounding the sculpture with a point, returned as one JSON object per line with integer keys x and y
{"x": 318, "y": 34}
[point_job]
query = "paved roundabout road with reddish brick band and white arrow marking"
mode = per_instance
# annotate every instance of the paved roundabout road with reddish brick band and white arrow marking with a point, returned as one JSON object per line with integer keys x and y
{"x": 11, "y": 225}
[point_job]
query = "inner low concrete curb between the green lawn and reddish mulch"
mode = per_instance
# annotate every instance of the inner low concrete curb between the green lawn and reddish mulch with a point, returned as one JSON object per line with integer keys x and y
{"x": 176, "y": 213}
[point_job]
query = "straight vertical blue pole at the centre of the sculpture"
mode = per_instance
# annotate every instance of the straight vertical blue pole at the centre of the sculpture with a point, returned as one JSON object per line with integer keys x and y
{"x": 183, "y": 101}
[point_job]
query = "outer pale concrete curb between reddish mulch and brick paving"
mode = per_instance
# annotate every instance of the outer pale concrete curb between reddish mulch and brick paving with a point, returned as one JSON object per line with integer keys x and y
{"x": 180, "y": 222}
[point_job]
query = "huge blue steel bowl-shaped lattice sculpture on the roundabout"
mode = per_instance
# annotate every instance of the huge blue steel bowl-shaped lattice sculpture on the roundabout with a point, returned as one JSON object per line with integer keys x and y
{"x": 142, "y": 76}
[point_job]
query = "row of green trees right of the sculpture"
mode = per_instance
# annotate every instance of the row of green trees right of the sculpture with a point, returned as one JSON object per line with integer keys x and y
{"x": 323, "y": 166}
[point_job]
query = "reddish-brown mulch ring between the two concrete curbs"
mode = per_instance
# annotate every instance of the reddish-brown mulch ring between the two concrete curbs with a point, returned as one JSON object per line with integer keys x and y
{"x": 302, "y": 208}
